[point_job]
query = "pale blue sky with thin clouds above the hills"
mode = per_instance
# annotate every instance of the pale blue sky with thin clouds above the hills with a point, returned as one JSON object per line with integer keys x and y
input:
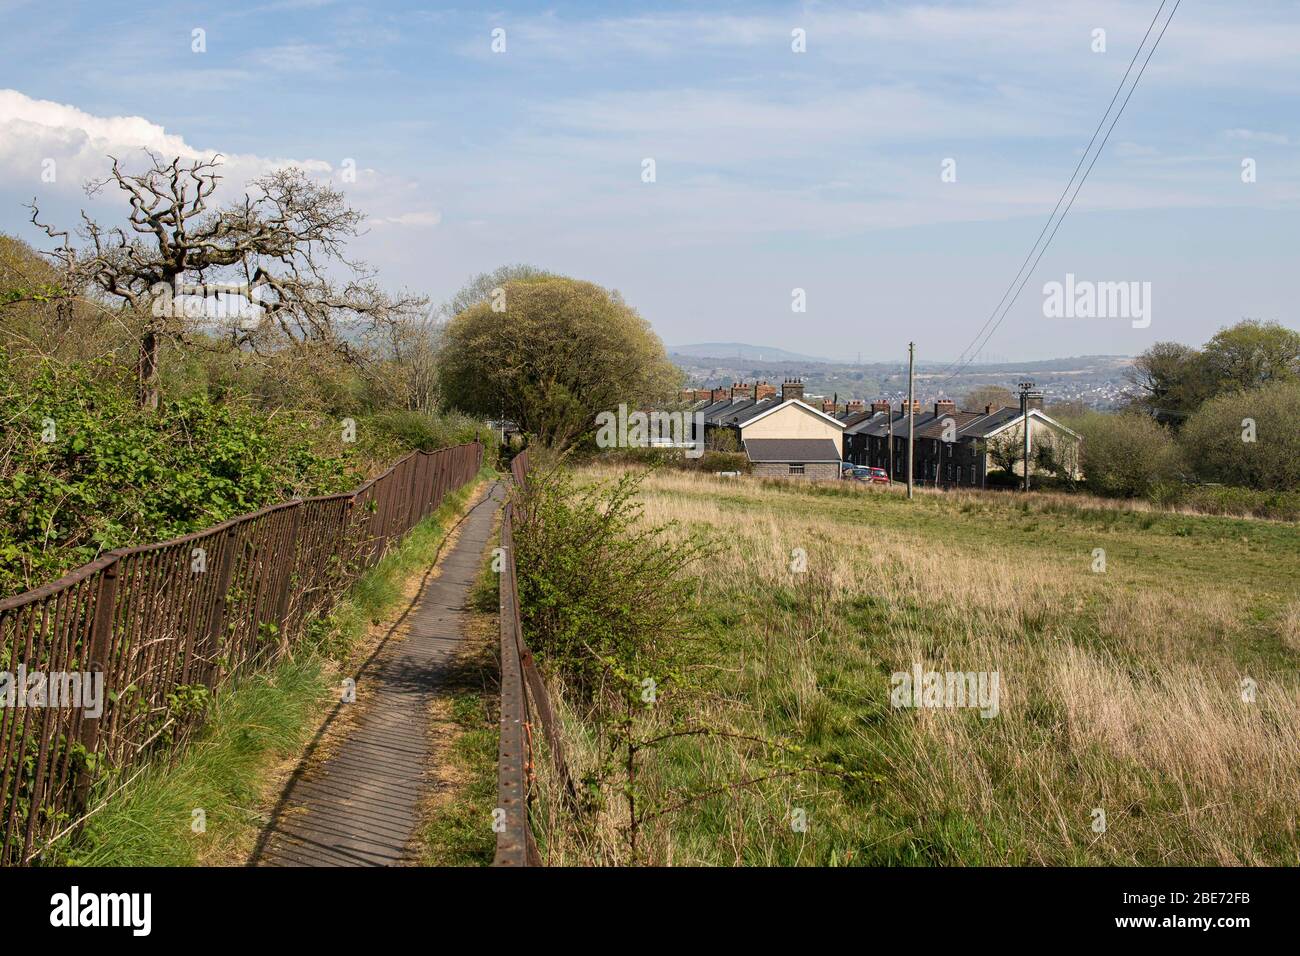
{"x": 774, "y": 171}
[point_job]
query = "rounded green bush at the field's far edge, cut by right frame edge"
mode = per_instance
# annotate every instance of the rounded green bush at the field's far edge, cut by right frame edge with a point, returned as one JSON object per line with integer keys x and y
{"x": 1249, "y": 438}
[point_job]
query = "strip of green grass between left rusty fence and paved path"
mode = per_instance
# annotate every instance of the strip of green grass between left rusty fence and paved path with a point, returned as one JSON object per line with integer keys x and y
{"x": 207, "y": 803}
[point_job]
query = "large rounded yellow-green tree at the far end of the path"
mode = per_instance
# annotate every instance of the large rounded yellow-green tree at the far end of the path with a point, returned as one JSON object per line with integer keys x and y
{"x": 551, "y": 353}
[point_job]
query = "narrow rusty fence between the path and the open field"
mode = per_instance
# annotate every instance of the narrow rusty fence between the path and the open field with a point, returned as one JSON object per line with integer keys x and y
{"x": 523, "y": 694}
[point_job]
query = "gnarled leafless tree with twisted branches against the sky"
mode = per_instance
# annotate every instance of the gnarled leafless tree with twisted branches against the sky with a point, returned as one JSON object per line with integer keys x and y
{"x": 274, "y": 253}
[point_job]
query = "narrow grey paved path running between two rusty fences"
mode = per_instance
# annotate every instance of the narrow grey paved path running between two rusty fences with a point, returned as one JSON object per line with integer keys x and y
{"x": 361, "y": 807}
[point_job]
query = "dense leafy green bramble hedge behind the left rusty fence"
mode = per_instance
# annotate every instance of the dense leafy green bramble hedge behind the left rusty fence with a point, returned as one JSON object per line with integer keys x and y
{"x": 84, "y": 470}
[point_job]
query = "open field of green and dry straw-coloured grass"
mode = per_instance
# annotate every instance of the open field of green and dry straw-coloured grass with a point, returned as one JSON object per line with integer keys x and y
{"x": 1121, "y": 691}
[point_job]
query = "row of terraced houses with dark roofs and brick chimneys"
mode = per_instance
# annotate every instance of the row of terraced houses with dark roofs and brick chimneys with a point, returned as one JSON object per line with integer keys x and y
{"x": 787, "y": 436}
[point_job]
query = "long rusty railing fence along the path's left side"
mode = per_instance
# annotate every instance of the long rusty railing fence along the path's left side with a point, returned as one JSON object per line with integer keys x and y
{"x": 168, "y": 622}
